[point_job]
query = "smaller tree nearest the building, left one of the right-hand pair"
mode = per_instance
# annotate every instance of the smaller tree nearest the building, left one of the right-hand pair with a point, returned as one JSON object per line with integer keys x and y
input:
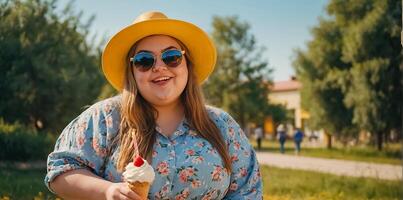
{"x": 321, "y": 93}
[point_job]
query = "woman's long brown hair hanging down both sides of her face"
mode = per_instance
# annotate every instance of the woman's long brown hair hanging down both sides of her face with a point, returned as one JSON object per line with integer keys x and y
{"x": 138, "y": 118}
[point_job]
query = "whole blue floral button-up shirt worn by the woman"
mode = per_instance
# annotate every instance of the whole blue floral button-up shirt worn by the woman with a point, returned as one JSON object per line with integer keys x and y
{"x": 186, "y": 166}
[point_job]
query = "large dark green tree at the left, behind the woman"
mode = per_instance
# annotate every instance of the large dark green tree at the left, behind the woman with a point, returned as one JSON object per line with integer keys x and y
{"x": 48, "y": 69}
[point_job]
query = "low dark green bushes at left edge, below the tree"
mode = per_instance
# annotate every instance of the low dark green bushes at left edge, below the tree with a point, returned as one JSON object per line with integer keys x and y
{"x": 19, "y": 143}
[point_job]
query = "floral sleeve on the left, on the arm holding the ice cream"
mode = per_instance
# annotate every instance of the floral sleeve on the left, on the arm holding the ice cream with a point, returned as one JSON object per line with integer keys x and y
{"x": 84, "y": 142}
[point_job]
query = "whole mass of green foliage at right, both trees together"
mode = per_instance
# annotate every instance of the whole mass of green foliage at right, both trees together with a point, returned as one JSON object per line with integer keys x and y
{"x": 350, "y": 70}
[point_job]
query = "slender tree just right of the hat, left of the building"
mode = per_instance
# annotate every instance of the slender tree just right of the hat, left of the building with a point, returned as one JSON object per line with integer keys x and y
{"x": 240, "y": 82}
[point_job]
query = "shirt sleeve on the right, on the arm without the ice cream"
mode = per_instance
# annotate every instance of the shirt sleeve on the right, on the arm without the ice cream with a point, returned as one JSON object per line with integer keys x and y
{"x": 245, "y": 182}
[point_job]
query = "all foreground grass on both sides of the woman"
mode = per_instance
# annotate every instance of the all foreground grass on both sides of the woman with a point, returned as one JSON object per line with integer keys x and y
{"x": 279, "y": 184}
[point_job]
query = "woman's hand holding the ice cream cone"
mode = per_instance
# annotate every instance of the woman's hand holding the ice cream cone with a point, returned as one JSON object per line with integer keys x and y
{"x": 120, "y": 191}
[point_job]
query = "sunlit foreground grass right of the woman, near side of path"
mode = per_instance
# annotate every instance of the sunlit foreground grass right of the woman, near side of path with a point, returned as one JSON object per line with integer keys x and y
{"x": 286, "y": 184}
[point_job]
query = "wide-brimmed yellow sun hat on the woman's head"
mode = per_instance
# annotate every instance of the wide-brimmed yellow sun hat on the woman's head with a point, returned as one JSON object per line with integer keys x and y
{"x": 201, "y": 47}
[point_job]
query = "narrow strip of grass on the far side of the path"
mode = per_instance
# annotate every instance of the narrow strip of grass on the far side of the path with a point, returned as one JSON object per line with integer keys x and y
{"x": 390, "y": 155}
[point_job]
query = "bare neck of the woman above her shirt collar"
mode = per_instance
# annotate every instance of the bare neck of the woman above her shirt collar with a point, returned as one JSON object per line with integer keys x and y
{"x": 169, "y": 117}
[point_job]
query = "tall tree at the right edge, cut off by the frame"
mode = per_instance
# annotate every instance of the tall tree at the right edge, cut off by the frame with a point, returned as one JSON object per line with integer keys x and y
{"x": 371, "y": 44}
